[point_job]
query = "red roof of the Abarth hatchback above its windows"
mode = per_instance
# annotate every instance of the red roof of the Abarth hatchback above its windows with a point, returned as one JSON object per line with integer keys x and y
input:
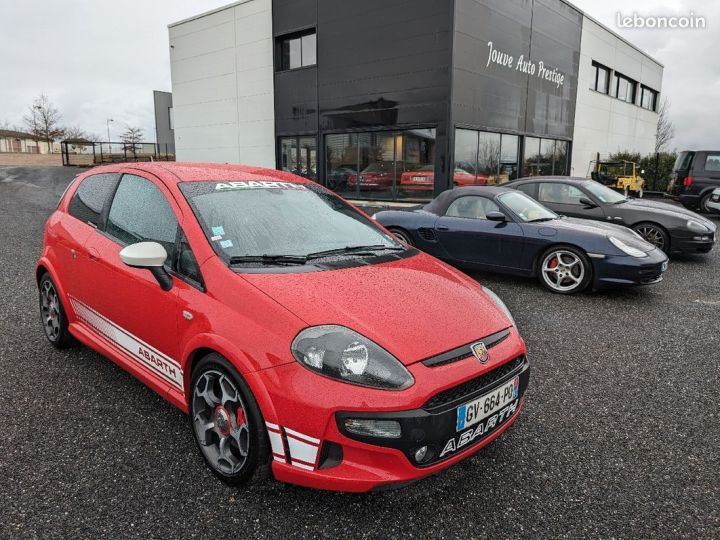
{"x": 176, "y": 172}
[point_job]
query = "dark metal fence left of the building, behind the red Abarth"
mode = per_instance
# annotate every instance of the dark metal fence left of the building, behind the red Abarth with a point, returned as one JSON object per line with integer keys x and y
{"x": 88, "y": 154}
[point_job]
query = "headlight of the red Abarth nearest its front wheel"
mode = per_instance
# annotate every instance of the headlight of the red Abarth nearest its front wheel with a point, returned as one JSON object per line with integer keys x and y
{"x": 341, "y": 353}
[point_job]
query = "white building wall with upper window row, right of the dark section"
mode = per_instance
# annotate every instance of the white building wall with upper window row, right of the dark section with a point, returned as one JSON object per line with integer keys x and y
{"x": 602, "y": 123}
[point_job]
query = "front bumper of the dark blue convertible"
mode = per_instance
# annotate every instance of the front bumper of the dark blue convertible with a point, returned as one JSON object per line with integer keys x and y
{"x": 626, "y": 270}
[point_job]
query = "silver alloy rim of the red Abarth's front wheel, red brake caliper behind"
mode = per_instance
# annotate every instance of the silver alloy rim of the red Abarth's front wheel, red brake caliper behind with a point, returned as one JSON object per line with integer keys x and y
{"x": 220, "y": 421}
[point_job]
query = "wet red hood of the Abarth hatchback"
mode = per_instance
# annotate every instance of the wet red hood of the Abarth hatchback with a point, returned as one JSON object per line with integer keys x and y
{"x": 415, "y": 307}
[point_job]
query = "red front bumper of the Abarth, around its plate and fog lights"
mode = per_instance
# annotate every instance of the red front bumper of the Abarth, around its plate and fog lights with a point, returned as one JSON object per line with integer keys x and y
{"x": 311, "y": 446}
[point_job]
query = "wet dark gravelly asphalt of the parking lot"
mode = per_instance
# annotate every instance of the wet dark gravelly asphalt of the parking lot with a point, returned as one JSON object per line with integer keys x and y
{"x": 620, "y": 436}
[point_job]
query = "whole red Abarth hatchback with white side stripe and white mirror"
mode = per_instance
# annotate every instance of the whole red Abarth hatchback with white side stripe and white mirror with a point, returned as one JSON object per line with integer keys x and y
{"x": 294, "y": 330}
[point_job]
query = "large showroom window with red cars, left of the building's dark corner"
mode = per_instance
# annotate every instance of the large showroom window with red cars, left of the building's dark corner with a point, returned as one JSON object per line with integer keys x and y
{"x": 387, "y": 165}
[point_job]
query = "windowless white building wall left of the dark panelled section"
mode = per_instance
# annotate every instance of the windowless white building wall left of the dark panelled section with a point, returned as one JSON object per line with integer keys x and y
{"x": 222, "y": 80}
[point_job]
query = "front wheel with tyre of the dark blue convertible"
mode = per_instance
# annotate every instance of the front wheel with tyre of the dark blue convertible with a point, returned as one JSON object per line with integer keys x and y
{"x": 565, "y": 270}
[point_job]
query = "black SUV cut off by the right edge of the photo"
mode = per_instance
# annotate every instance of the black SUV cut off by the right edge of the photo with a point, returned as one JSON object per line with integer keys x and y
{"x": 695, "y": 175}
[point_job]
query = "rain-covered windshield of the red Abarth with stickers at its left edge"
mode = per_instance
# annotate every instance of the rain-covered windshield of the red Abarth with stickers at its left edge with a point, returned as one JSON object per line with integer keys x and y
{"x": 268, "y": 218}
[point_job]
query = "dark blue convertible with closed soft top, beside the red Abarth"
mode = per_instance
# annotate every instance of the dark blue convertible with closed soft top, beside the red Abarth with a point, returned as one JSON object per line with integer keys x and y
{"x": 500, "y": 229}
